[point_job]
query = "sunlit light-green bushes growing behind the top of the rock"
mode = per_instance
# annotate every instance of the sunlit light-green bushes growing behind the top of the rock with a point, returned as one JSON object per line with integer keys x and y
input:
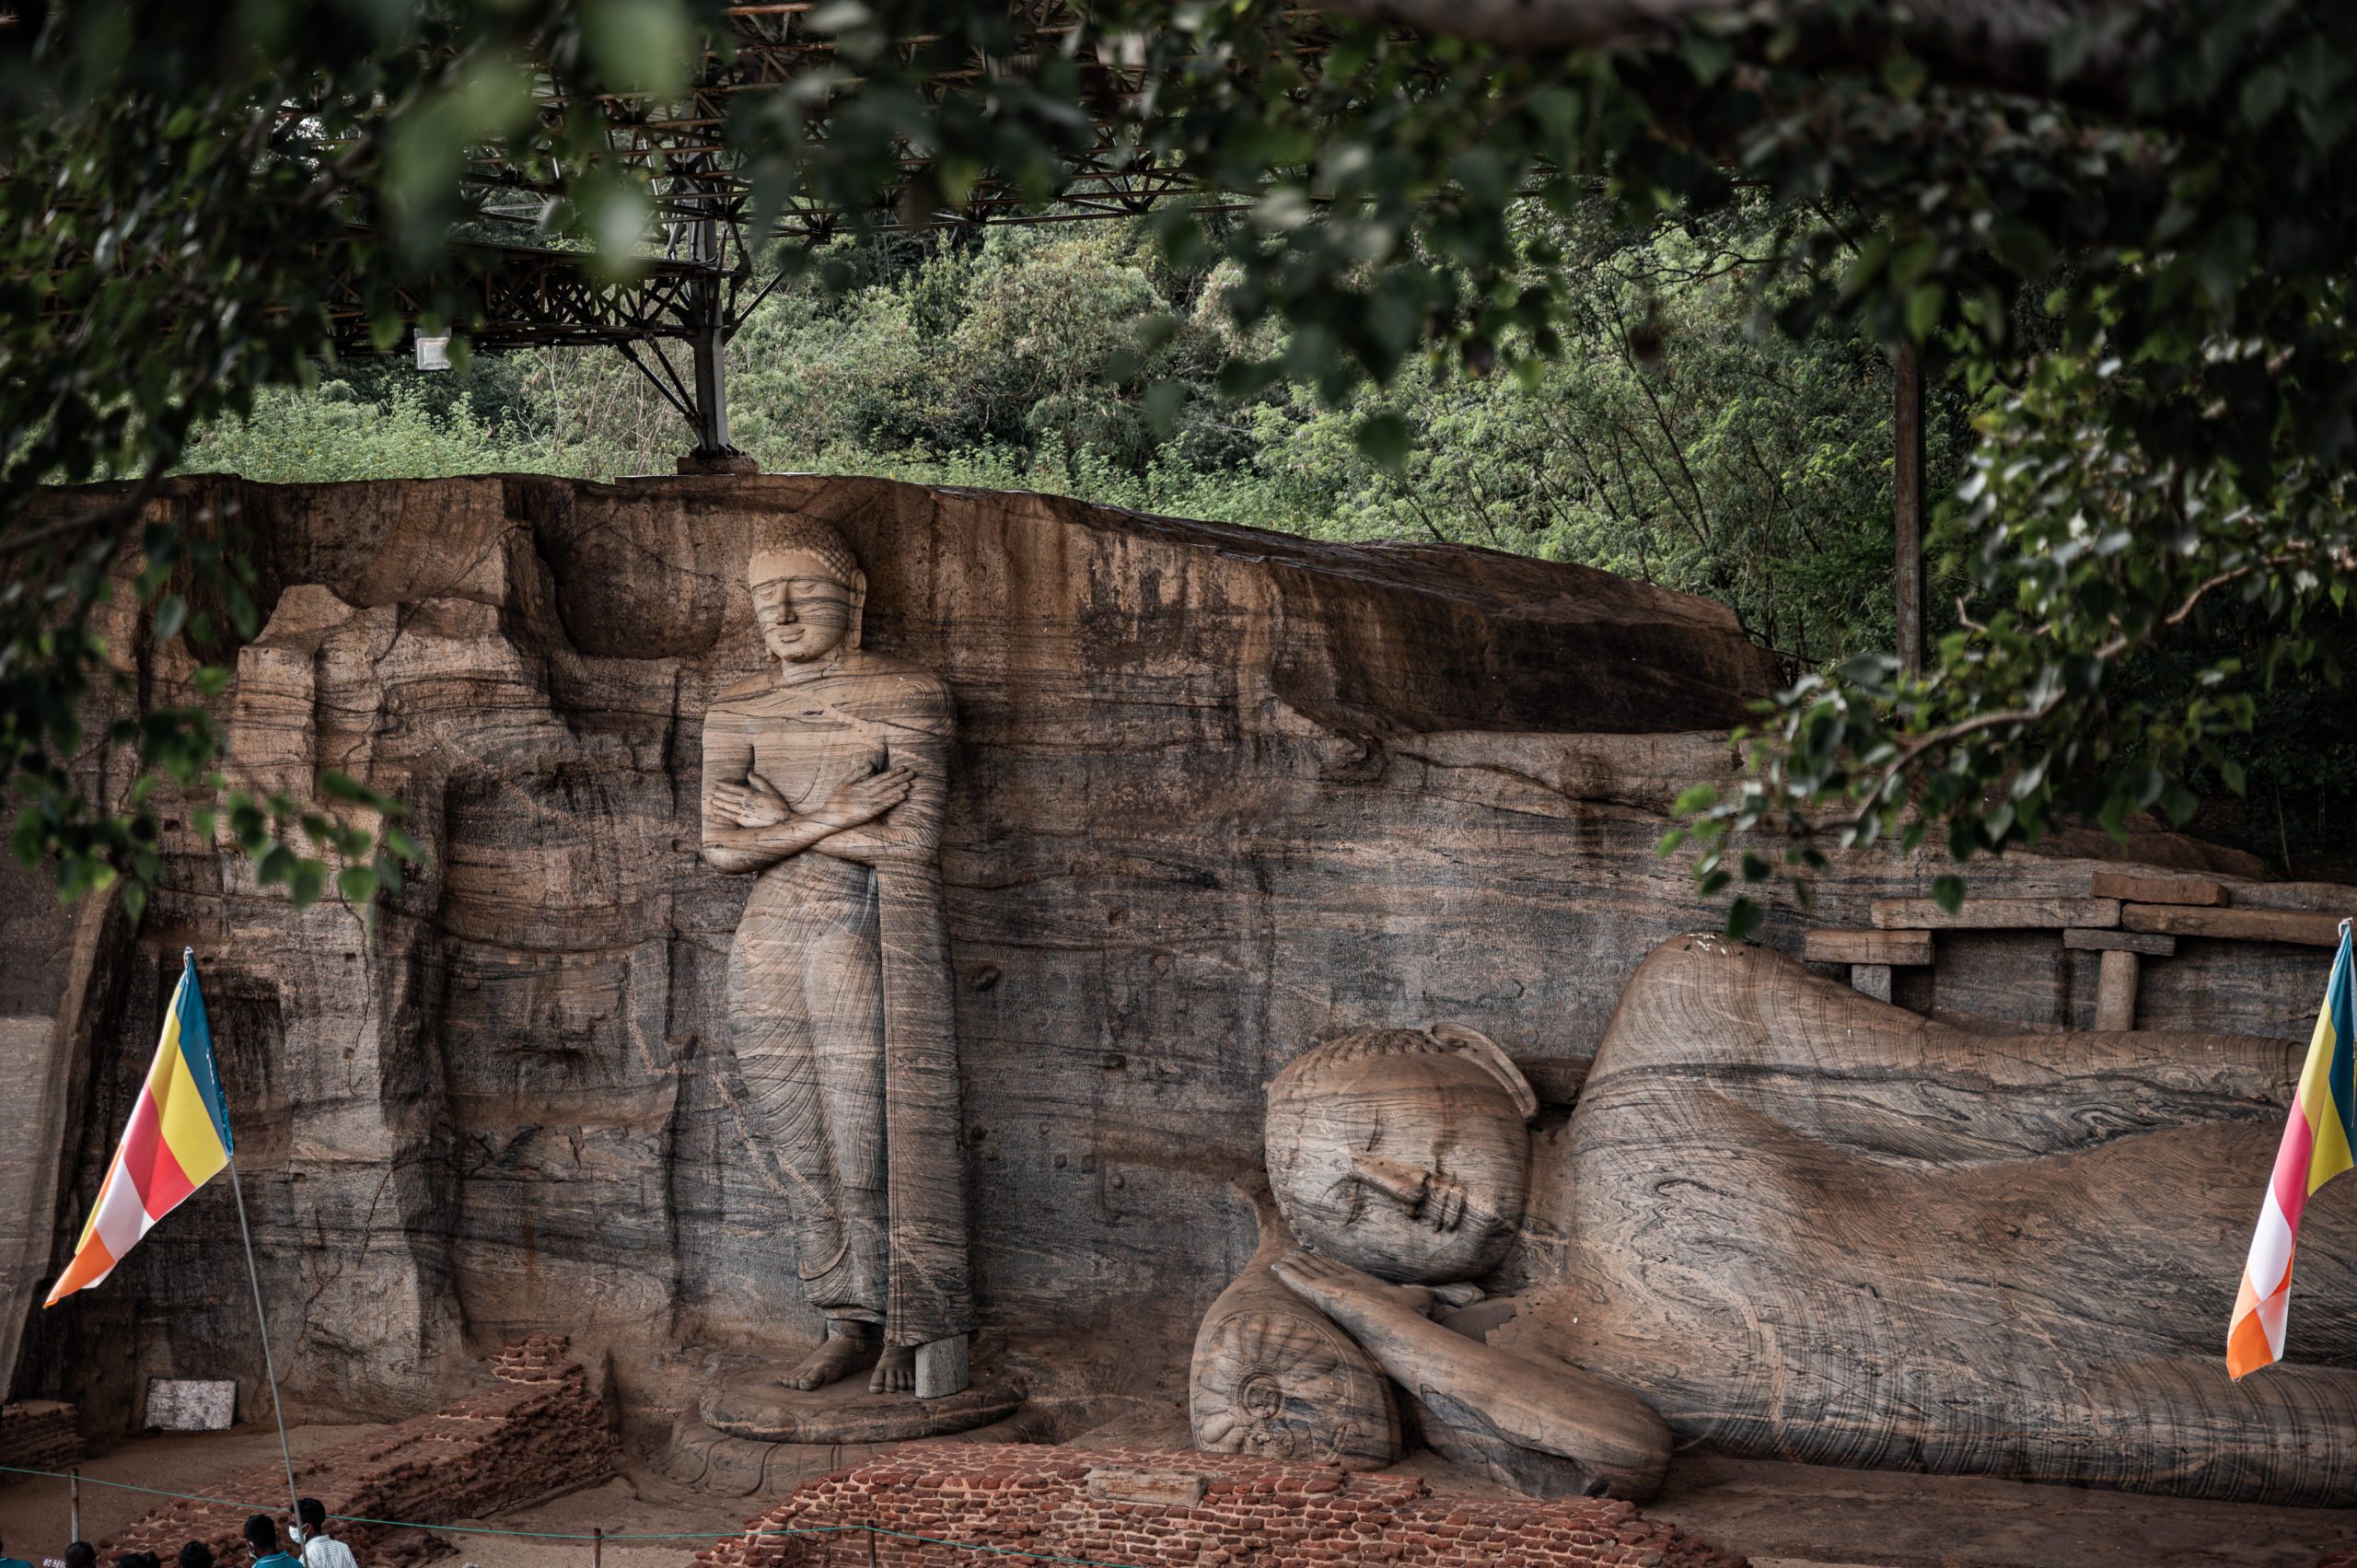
{"x": 1670, "y": 440}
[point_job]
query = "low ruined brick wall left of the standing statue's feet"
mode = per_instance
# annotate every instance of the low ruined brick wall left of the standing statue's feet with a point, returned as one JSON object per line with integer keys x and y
{"x": 536, "y": 1435}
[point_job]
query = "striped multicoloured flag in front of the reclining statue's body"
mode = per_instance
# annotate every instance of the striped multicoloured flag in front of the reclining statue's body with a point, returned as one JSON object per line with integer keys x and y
{"x": 2313, "y": 1152}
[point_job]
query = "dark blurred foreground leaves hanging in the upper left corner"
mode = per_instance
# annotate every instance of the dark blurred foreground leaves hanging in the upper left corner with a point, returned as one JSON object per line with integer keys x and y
{"x": 185, "y": 190}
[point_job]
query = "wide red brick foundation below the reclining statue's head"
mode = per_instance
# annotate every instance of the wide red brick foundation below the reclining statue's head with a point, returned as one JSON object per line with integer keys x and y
{"x": 1182, "y": 1510}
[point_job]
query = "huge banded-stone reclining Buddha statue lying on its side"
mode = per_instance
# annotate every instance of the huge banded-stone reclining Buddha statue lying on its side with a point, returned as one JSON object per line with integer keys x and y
{"x": 1804, "y": 1225}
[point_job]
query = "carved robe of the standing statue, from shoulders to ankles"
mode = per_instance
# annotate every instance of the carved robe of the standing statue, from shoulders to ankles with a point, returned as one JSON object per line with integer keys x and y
{"x": 838, "y": 994}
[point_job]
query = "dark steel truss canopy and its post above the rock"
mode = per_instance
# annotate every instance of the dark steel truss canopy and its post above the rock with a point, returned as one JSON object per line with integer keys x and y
{"x": 704, "y": 286}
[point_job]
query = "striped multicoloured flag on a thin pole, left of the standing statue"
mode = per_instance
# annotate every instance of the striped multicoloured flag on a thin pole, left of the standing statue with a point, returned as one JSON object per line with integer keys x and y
{"x": 178, "y": 1142}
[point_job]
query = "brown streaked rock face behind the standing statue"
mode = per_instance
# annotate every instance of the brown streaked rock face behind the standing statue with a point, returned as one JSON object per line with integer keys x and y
{"x": 1215, "y": 796}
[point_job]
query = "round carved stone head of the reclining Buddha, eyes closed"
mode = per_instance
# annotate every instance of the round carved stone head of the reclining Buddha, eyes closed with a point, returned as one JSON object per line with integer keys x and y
{"x": 1404, "y": 1152}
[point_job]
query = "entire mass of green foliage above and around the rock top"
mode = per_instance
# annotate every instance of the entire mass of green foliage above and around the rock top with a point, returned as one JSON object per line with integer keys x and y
{"x": 1597, "y": 282}
